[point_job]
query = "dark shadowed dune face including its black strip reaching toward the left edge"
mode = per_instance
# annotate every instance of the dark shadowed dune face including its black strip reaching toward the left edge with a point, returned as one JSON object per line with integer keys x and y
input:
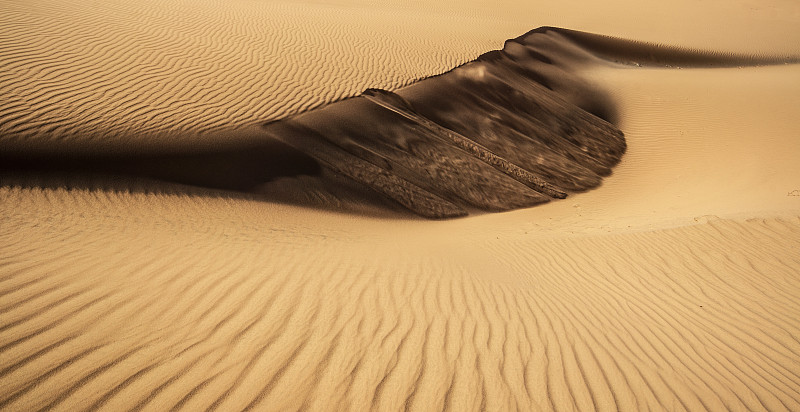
{"x": 505, "y": 131}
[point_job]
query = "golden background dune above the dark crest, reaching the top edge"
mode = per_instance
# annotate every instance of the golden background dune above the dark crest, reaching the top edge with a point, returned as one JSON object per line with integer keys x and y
{"x": 133, "y": 72}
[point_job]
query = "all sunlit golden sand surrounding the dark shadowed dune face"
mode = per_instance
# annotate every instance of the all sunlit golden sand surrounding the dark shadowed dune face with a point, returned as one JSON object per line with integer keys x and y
{"x": 672, "y": 286}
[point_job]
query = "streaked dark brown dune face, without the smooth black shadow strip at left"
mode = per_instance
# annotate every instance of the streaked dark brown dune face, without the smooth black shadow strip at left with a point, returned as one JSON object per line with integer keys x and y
{"x": 490, "y": 134}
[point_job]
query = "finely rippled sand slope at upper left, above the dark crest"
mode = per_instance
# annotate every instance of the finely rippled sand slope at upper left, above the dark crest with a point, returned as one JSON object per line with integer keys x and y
{"x": 128, "y": 72}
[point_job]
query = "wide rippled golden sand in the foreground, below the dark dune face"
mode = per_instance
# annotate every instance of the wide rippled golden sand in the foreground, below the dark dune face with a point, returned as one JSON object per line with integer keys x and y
{"x": 630, "y": 321}
